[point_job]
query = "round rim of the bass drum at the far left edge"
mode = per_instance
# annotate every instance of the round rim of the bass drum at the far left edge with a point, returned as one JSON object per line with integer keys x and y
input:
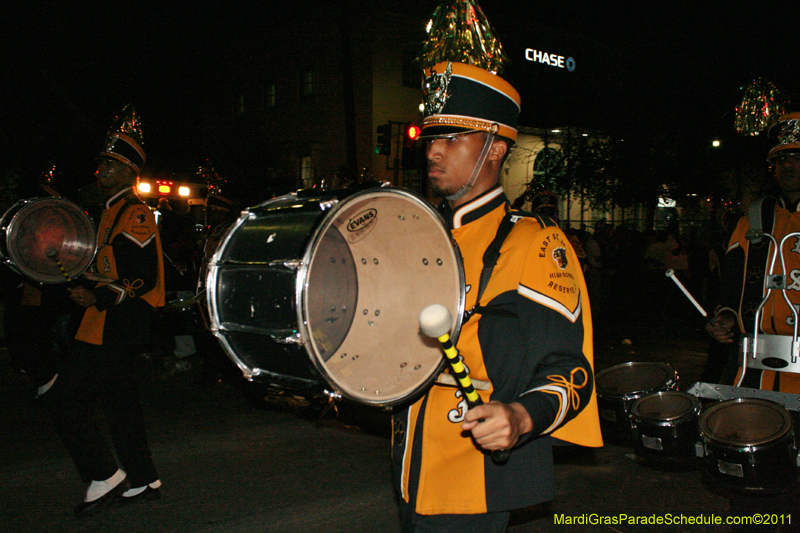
{"x": 12, "y": 260}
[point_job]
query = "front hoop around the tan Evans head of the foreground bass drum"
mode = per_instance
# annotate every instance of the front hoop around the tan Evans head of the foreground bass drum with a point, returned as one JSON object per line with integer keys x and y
{"x": 302, "y": 276}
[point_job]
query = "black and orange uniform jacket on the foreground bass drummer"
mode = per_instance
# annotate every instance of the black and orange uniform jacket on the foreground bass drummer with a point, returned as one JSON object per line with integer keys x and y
{"x": 536, "y": 351}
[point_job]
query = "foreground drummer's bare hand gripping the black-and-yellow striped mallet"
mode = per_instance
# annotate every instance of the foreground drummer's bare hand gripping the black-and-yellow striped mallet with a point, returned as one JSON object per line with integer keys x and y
{"x": 501, "y": 427}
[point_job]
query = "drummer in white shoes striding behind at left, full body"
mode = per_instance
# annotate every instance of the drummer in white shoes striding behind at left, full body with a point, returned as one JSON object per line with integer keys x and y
{"x": 127, "y": 285}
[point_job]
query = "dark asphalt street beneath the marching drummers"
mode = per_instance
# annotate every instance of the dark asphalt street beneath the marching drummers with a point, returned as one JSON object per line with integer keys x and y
{"x": 232, "y": 460}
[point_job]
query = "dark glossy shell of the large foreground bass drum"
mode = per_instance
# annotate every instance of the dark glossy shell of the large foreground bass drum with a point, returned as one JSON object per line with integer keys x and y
{"x": 267, "y": 347}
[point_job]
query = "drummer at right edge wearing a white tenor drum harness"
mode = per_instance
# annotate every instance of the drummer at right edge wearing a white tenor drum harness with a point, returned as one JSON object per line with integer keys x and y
{"x": 746, "y": 262}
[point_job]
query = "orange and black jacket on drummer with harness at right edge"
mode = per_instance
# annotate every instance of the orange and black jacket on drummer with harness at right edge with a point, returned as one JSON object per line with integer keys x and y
{"x": 742, "y": 287}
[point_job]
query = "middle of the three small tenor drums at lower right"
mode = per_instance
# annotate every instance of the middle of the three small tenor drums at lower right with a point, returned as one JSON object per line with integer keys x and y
{"x": 664, "y": 426}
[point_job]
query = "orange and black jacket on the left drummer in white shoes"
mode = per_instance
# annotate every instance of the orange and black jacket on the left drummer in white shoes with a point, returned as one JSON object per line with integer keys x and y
{"x": 130, "y": 264}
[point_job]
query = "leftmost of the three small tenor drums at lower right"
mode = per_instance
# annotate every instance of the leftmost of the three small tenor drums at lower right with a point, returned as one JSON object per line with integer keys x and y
{"x": 618, "y": 387}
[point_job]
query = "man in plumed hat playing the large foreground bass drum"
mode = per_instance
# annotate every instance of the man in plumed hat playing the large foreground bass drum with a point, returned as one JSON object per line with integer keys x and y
{"x": 531, "y": 337}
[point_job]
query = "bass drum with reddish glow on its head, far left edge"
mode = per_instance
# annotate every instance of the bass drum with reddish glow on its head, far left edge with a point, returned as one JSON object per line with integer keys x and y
{"x": 42, "y": 233}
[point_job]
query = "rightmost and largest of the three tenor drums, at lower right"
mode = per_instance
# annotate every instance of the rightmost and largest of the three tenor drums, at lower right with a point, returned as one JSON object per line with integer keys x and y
{"x": 749, "y": 446}
